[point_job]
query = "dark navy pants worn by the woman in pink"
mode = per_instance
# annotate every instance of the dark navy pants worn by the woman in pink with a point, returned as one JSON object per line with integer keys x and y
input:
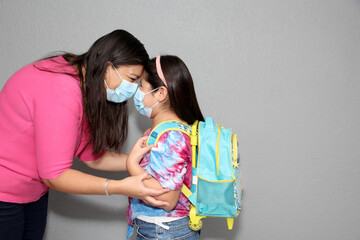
{"x": 20, "y": 221}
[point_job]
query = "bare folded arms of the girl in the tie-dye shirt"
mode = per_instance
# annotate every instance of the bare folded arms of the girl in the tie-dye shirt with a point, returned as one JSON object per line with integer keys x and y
{"x": 134, "y": 169}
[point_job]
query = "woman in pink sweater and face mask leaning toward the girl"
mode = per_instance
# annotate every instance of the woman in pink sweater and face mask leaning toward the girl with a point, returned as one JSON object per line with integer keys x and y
{"x": 62, "y": 107}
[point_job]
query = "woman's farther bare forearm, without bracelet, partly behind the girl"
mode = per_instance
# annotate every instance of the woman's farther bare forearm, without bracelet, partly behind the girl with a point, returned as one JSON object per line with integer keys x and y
{"x": 110, "y": 161}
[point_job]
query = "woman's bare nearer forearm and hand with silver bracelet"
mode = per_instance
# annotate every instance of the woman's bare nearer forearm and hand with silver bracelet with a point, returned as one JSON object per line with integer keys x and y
{"x": 76, "y": 182}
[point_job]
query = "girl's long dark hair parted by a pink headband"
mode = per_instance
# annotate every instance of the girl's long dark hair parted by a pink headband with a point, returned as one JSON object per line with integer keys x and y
{"x": 180, "y": 87}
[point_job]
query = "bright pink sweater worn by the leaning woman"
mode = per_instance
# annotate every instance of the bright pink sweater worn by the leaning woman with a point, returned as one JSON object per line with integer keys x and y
{"x": 41, "y": 129}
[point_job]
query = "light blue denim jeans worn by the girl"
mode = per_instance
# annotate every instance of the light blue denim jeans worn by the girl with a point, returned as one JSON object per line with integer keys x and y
{"x": 179, "y": 229}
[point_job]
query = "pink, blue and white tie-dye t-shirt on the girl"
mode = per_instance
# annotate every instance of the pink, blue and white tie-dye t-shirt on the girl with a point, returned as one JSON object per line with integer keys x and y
{"x": 169, "y": 162}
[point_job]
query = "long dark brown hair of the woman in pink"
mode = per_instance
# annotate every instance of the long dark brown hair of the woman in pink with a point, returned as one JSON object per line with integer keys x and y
{"x": 108, "y": 121}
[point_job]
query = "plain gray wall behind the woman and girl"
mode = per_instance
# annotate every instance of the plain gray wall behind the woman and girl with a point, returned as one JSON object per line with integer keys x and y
{"x": 284, "y": 74}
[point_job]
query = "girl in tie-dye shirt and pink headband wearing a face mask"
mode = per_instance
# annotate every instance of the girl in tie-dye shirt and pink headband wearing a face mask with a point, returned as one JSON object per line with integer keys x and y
{"x": 166, "y": 93}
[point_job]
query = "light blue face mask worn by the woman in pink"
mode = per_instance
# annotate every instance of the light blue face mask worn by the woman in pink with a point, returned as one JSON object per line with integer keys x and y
{"x": 122, "y": 92}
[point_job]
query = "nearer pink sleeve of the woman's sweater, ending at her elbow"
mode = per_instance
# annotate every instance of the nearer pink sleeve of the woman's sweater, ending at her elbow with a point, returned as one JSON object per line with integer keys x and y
{"x": 57, "y": 115}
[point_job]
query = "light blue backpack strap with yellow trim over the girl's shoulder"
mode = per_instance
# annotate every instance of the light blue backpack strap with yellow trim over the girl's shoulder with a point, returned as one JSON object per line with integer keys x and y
{"x": 163, "y": 127}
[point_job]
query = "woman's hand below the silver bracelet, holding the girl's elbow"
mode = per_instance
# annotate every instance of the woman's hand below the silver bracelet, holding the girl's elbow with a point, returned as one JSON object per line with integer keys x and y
{"x": 135, "y": 188}
